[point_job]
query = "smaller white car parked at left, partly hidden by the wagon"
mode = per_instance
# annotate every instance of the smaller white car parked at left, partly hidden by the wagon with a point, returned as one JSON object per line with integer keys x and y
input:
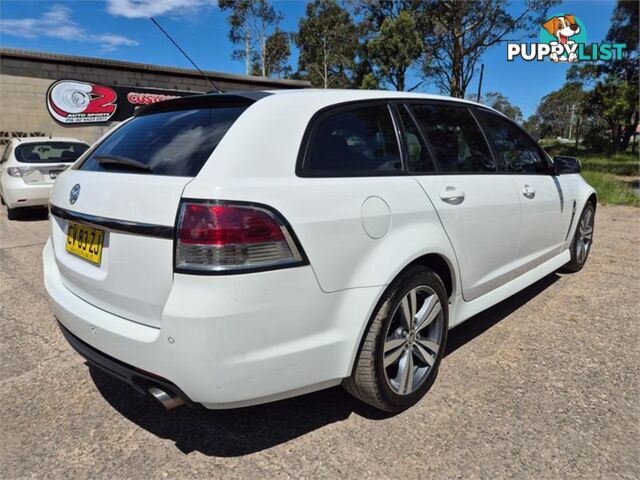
{"x": 30, "y": 165}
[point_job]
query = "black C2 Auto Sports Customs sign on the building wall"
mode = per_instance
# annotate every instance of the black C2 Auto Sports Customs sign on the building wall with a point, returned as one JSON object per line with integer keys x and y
{"x": 72, "y": 102}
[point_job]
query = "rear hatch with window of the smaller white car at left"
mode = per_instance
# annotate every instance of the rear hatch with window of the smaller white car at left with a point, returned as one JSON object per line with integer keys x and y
{"x": 42, "y": 162}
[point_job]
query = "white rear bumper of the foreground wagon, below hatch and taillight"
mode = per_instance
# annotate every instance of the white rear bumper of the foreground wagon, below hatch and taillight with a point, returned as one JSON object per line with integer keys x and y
{"x": 229, "y": 341}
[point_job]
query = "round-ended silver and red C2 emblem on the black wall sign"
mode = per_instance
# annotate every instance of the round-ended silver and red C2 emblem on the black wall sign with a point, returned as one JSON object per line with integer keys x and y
{"x": 71, "y": 101}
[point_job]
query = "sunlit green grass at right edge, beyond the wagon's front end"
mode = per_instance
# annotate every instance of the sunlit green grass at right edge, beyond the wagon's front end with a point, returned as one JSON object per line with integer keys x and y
{"x": 605, "y": 172}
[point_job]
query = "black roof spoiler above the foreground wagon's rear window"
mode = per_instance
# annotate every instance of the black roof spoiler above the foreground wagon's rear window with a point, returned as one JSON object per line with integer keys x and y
{"x": 209, "y": 100}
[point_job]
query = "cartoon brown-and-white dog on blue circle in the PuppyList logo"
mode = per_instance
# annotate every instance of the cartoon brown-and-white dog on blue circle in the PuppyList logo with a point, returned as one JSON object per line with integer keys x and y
{"x": 565, "y": 31}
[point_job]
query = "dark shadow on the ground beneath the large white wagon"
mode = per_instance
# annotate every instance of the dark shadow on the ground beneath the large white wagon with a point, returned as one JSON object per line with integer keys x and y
{"x": 229, "y": 433}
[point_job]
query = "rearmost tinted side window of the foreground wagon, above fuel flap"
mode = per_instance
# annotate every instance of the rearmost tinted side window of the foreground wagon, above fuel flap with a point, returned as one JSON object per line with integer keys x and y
{"x": 359, "y": 141}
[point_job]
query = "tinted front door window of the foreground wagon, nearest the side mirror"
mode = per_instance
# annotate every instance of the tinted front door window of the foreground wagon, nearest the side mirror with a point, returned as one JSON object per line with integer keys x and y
{"x": 516, "y": 151}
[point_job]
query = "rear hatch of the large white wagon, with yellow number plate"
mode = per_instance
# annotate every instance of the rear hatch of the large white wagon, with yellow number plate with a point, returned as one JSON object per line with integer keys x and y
{"x": 127, "y": 192}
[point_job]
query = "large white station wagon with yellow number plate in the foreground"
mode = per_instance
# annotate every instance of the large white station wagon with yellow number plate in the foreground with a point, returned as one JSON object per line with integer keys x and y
{"x": 232, "y": 249}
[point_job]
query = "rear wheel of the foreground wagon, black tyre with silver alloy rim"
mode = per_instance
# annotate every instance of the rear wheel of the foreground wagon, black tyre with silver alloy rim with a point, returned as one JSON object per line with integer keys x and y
{"x": 404, "y": 343}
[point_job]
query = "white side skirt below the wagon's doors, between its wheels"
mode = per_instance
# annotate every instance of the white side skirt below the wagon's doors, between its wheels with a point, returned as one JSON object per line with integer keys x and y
{"x": 461, "y": 310}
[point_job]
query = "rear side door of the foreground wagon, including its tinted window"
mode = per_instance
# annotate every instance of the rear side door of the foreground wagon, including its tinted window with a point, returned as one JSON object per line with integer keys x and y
{"x": 478, "y": 207}
